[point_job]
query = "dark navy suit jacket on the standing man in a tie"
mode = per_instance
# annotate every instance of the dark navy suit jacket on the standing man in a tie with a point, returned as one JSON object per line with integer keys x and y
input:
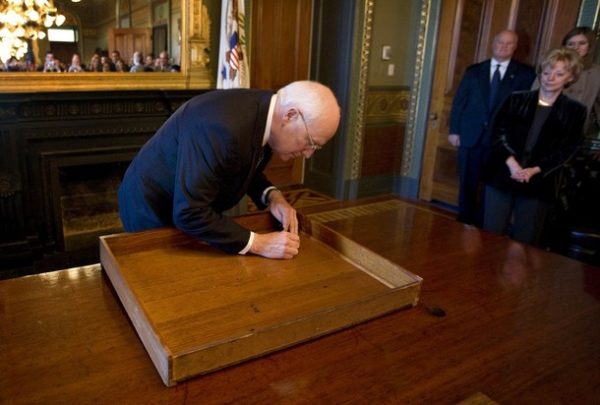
{"x": 471, "y": 111}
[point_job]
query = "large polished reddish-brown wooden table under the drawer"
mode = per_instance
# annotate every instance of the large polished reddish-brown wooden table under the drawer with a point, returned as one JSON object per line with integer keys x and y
{"x": 520, "y": 325}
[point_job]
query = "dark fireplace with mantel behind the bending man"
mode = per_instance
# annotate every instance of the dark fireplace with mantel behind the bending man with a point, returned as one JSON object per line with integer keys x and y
{"x": 62, "y": 157}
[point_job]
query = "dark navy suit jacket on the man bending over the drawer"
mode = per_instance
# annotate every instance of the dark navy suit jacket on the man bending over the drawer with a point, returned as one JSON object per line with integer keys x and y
{"x": 200, "y": 163}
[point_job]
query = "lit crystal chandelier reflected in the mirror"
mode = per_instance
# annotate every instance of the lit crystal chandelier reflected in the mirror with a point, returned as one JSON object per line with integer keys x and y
{"x": 23, "y": 20}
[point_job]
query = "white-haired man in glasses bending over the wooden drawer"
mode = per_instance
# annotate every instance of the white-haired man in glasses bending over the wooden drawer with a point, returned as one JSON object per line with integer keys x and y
{"x": 213, "y": 150}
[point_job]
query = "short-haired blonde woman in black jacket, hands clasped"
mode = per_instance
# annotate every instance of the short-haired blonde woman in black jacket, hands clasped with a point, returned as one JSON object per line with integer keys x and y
{"x": 535, "y": 133}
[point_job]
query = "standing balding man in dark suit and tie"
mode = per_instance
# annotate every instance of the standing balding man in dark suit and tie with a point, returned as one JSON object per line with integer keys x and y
{"x": 481, "y": 90}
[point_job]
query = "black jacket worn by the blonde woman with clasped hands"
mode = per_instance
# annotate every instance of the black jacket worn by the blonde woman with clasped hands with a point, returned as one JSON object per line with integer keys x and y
{"x": 558, "y": 139}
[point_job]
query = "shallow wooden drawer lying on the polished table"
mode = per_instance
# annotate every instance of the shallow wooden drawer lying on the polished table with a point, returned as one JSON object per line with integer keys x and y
{"x": 198, "y": 310}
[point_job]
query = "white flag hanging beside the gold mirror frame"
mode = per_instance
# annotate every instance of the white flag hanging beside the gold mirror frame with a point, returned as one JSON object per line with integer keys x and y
{"x": 233, "y": 63}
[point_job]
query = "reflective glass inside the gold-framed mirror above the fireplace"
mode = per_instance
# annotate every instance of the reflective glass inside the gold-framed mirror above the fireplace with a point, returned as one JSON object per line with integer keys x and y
{"x": 96, "y": 35}
